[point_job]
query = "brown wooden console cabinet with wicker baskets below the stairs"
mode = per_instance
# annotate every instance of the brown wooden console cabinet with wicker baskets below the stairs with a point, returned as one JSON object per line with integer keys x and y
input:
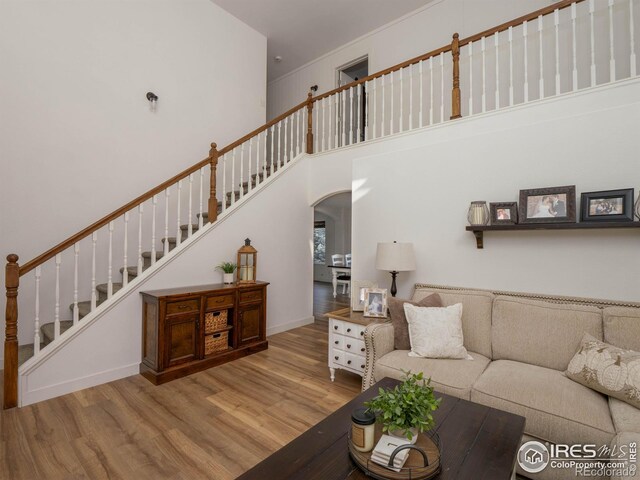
{"x": 178, "y": 337}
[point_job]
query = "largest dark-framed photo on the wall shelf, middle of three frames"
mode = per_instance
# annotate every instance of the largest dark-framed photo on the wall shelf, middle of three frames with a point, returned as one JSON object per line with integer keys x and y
{"x": 548, "y": 205}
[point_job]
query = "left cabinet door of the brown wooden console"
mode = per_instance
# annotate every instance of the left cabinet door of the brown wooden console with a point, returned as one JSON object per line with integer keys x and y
{"x": 181, "y": 337}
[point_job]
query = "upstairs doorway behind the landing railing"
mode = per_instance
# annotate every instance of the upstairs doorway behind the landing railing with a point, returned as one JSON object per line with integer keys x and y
{"x": 352, "y": 104}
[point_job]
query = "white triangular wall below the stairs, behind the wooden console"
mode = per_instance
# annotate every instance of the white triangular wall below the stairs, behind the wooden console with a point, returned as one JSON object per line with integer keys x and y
{"x": 111, "y": 347}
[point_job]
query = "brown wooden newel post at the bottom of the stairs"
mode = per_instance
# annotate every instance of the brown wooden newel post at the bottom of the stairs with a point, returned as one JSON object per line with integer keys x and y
{"x": 12, "y": 280}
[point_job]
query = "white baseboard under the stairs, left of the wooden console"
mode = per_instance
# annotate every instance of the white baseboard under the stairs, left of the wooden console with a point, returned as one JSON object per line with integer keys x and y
{"x": 28, "y": 396}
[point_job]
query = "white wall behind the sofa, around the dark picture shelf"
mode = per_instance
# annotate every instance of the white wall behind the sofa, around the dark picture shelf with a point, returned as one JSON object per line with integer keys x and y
{"x": 418, "y": 187}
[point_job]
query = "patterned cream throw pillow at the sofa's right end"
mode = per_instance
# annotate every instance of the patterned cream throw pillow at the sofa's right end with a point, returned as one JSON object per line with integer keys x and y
{"x": 607, "y": 369}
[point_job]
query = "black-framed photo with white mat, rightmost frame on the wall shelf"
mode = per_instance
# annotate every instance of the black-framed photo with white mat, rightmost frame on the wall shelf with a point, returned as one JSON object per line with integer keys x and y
{"x": 607, "y": 206}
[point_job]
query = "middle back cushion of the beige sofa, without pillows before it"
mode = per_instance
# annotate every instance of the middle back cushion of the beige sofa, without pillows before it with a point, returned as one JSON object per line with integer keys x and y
{"x": 541, "y": 333}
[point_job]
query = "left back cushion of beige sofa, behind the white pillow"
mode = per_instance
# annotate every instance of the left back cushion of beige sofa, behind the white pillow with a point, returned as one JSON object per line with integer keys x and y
{"x": 476, "y": 314}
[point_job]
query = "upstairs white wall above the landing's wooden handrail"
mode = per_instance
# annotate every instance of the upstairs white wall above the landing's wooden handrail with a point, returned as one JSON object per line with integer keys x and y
{"x": 422, "y": 31}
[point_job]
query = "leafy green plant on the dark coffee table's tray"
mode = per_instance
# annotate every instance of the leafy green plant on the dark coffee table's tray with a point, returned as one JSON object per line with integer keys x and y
{"x": 407, "y": 409}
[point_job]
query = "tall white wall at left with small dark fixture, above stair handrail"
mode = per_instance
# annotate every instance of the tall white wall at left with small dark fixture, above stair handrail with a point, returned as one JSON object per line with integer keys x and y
{"x": 77, "y": 138}
